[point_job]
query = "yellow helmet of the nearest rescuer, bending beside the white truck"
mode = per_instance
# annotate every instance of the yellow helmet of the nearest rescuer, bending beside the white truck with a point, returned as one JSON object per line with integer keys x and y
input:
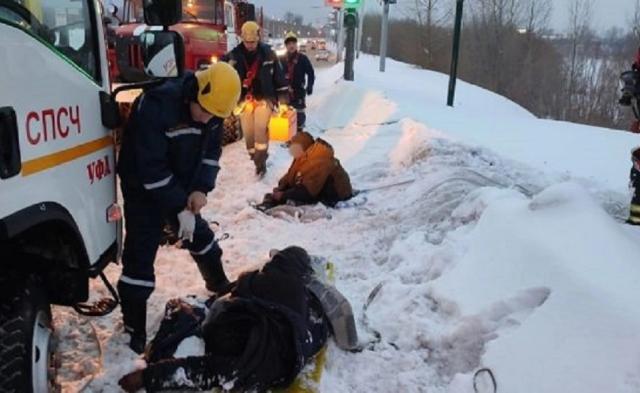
{"x": 218, "y": 89}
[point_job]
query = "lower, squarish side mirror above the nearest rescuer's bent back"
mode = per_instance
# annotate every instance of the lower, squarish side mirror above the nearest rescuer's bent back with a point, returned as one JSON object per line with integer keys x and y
{"x": 162, "y": 53}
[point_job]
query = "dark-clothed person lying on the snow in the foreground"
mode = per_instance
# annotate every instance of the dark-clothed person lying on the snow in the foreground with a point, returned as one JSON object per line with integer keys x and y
{"x": 258, "y": 336}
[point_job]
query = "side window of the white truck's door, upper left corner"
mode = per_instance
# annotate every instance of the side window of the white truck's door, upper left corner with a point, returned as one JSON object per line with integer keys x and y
{"x": 65, "y": 24}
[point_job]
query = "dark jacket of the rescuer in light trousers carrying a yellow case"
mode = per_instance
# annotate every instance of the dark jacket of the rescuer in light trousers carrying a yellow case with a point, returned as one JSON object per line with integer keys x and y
{"x": 269, "y": 82}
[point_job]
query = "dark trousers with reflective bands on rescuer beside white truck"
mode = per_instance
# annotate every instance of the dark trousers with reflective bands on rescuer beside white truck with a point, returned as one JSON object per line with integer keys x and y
{"x": 144, "y": 223}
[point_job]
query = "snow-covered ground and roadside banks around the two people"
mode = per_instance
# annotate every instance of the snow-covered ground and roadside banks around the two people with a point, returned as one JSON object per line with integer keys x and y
{"x": 502, "y": 254}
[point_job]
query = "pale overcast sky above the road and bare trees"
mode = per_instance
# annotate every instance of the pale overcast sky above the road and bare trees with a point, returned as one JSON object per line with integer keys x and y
{"x": 607, "y": 13}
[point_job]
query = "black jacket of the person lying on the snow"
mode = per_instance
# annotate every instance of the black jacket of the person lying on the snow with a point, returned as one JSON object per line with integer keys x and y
{"x": 258, "y": 337}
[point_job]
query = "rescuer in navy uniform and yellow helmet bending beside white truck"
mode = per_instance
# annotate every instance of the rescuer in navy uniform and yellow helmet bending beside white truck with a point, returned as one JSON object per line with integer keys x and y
{"x": 168, "y": 163}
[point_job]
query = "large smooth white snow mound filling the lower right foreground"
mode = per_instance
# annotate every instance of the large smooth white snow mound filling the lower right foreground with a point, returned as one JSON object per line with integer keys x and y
{"x": 564, "y": 242}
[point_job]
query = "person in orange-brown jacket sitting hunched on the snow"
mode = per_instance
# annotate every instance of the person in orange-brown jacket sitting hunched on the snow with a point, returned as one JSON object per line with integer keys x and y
{"x": 314, "y": 176}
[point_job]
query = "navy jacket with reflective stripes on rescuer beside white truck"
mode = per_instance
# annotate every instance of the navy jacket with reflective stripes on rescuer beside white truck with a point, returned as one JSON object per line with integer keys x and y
{"x": 165, "y": 154}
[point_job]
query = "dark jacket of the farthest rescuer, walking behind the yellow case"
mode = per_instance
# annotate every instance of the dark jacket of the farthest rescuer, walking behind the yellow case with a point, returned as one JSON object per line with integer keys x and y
{"x": 300, "y": 76}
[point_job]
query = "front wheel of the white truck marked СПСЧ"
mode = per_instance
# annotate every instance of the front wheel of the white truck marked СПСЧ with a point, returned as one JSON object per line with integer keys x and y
{"x": 27, "y": 348}
